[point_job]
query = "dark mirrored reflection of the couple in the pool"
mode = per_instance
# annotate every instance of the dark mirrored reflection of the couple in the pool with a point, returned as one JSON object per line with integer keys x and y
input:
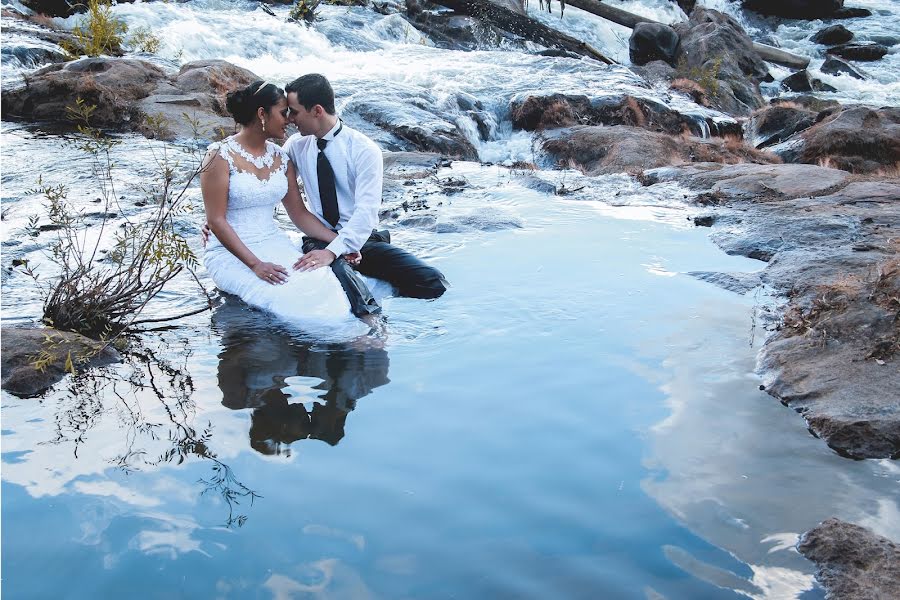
{"x": 297, "y": 389}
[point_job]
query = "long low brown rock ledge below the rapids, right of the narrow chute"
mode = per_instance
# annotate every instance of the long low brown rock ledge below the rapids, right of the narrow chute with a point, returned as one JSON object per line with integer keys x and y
{"x": 535, "y": 113}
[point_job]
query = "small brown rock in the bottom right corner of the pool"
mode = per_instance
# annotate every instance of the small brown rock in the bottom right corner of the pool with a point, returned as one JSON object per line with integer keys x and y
{"x": 853, "y": 562}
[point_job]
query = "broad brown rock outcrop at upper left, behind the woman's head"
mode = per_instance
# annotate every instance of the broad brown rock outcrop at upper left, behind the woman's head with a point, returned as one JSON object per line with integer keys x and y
{"x": 132, "y": 95}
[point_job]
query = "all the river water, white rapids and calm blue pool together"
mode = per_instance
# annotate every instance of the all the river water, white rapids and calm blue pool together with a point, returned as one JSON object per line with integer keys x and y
{"x": 578, "y": 417}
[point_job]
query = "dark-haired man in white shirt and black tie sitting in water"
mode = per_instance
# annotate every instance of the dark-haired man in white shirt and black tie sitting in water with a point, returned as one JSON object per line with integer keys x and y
{"x": 342, "y": 172}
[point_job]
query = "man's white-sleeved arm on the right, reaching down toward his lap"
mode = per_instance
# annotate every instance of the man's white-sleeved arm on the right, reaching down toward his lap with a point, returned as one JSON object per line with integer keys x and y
{"x": 369, "y": 176}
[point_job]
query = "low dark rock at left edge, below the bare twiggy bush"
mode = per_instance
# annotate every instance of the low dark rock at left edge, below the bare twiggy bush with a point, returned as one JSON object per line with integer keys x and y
{"x": 35, "y": 359}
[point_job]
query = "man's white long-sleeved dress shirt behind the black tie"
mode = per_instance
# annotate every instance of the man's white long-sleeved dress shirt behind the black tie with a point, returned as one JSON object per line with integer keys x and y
{"x": 358, "y": 175}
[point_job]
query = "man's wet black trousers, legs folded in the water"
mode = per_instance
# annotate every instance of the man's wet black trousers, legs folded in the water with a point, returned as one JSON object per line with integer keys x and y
{"x": 382, "y": 260}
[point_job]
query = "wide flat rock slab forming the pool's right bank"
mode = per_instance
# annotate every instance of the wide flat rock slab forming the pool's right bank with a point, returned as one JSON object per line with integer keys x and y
{"x": 832, "y": 244}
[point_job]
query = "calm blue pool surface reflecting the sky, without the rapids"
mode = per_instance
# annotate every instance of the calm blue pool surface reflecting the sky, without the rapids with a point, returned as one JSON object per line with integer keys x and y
{"x": 509, "y": 448}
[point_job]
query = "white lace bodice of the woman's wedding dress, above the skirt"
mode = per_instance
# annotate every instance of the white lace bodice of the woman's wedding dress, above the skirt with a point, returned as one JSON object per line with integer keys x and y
{"x": 255, "y": 186}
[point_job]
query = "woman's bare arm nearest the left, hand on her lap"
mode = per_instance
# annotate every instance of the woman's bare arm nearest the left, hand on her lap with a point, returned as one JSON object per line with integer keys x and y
{"x": 214, "y": 185}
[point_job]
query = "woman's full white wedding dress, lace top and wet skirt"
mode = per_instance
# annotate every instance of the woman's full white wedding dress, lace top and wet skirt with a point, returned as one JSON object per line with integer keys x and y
{"x": 312, "y": 300}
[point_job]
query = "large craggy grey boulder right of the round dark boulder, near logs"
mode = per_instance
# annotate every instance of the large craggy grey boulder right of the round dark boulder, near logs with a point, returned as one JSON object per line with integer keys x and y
{"x": 717, "y": 53}
